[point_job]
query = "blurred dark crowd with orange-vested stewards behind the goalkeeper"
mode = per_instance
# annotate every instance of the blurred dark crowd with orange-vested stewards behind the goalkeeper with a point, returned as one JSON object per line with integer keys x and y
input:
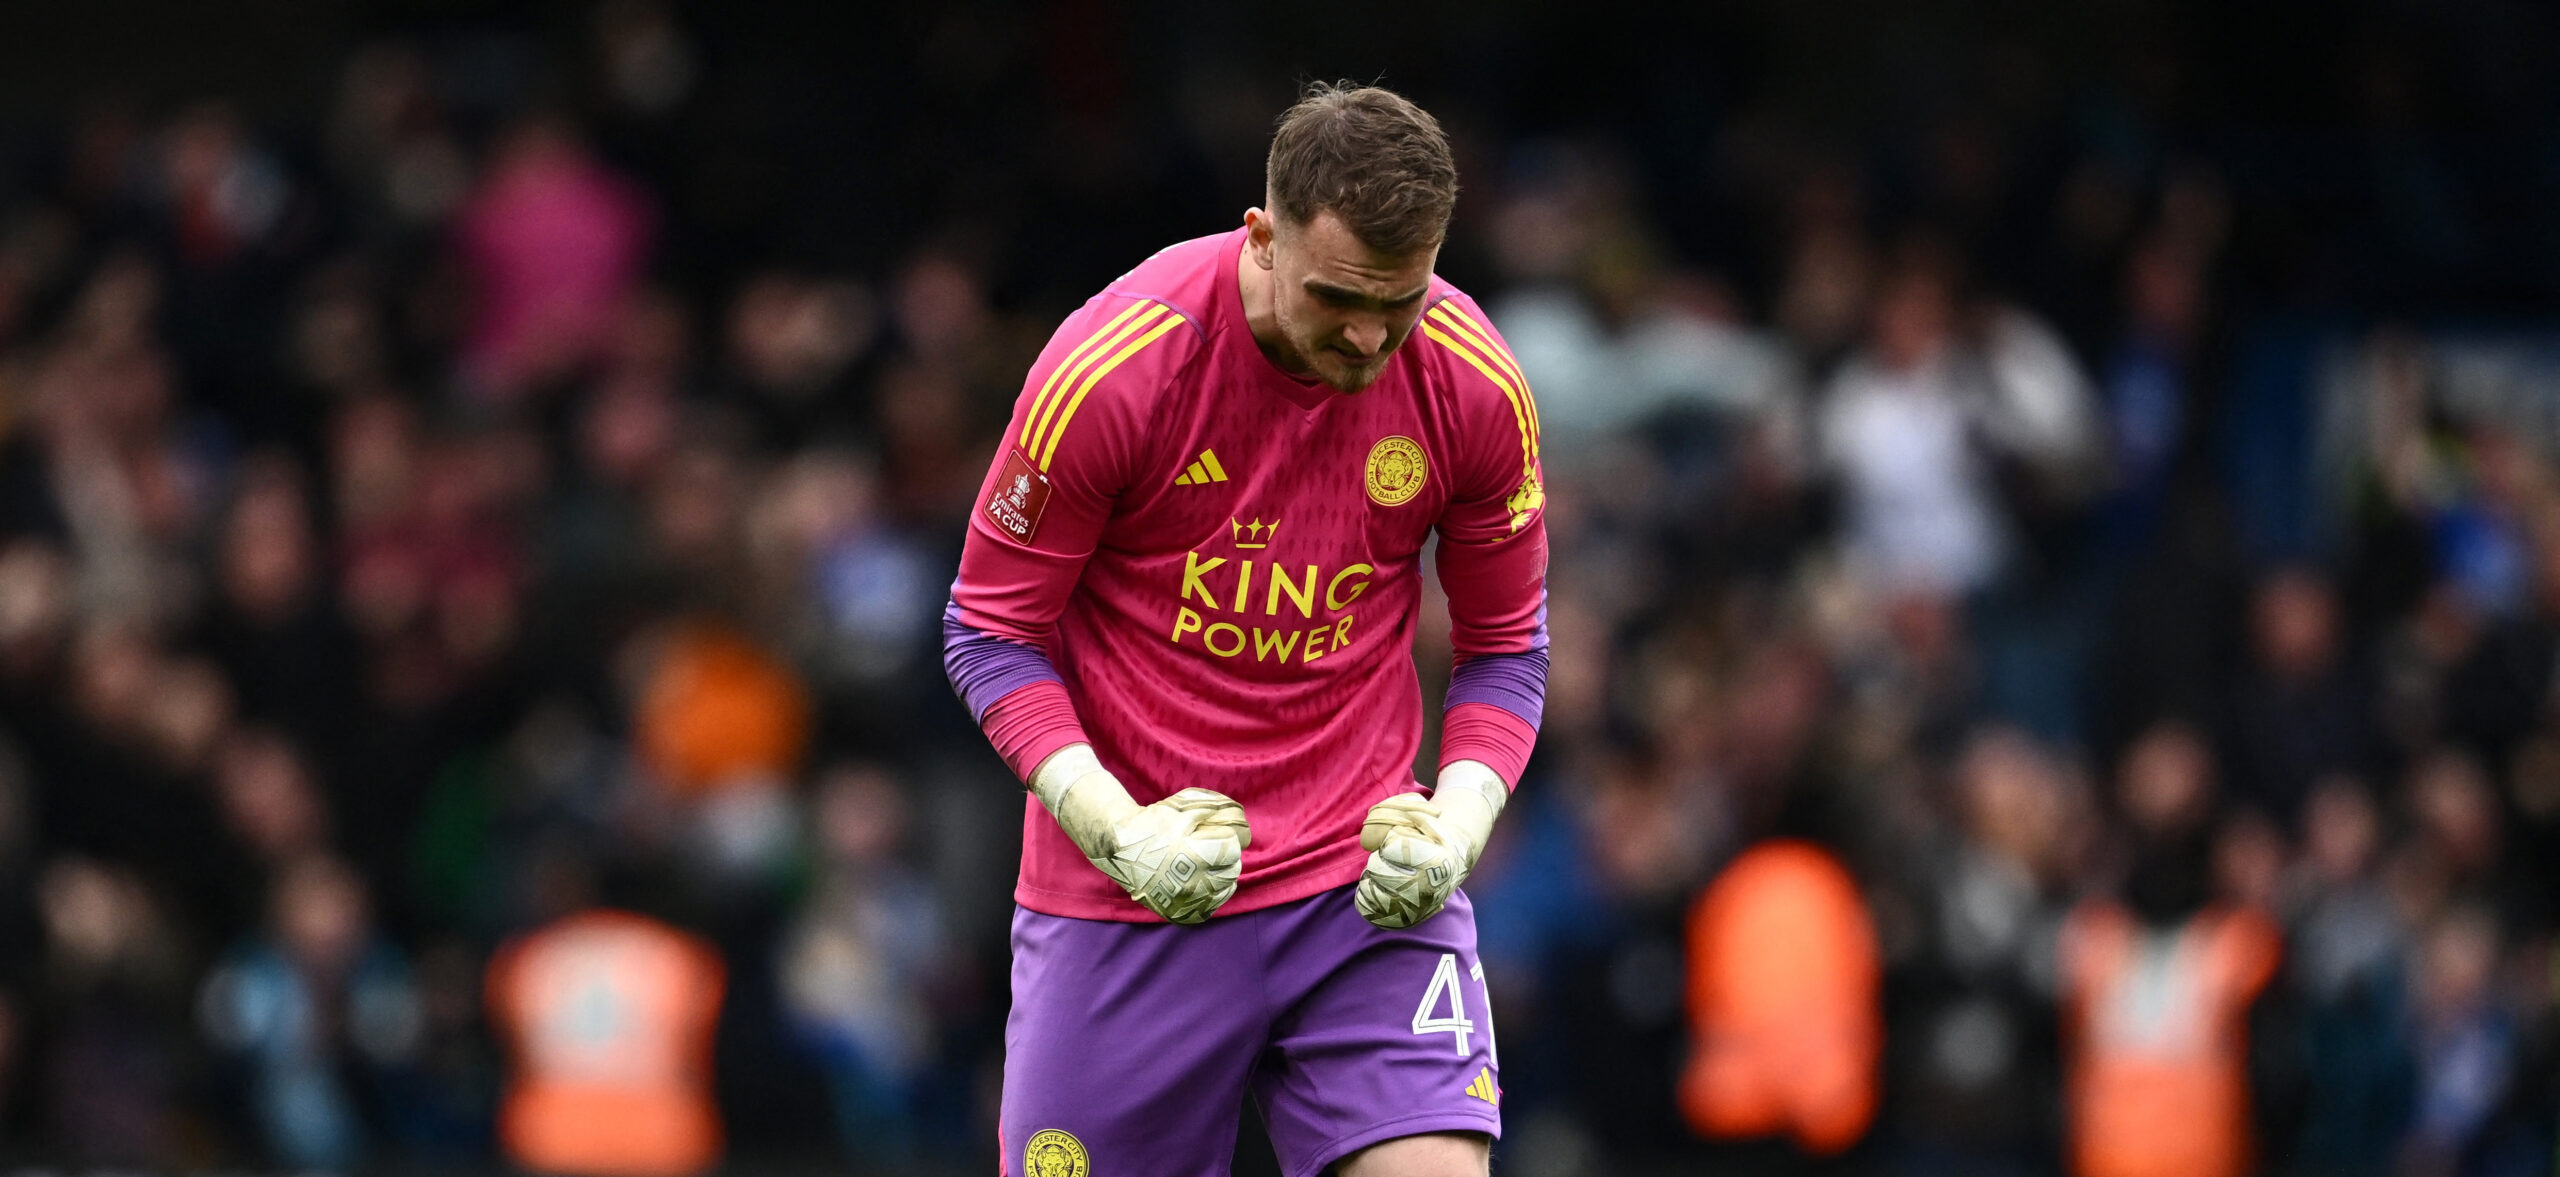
{"x": 2057, "y": 523}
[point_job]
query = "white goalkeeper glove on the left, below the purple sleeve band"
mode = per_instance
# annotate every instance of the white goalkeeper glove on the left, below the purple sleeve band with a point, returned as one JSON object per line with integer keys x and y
{"x": 1179, "y": 856}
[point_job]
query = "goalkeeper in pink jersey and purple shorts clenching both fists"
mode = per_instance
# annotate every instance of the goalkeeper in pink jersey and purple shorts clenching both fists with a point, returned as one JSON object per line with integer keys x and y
{"x": 1187, "y": 620}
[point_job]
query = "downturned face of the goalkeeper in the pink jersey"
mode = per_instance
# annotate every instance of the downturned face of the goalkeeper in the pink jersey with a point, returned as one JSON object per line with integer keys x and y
{"x": 1343, "y": 306}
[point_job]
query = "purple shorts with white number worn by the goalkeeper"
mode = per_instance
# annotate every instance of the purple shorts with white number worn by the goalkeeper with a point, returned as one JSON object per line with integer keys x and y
{"x": 1133, "y": 1045}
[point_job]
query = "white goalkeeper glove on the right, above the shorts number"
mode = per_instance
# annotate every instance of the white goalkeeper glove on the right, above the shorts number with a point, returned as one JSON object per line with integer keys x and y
{"x": 1425, "y": 848}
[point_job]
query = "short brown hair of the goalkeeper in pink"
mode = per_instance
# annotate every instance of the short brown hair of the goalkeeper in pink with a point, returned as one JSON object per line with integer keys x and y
{"x": 1368, "y": 155}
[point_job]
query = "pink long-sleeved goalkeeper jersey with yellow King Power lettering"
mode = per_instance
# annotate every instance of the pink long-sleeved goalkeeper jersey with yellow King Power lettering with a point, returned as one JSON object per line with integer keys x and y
{"x": 1212, "y": 572}
